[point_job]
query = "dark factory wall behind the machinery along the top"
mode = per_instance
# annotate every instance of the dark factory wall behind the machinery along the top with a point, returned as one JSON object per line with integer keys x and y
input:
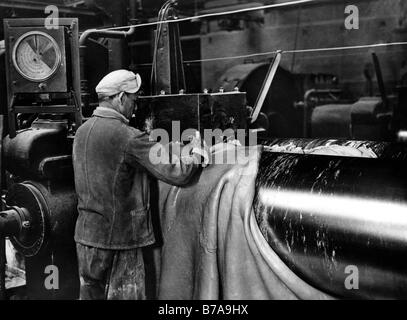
{"x": 298, "y": 27}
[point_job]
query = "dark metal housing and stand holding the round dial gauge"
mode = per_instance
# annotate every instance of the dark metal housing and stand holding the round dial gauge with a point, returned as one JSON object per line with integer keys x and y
{"x": 42, "y": 67}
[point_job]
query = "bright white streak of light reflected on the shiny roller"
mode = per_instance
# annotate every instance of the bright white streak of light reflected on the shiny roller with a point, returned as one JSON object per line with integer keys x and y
{"x": 384, "y": 219}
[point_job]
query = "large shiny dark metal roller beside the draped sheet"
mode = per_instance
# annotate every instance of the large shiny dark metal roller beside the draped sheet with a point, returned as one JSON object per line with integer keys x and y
{"x": 333, "y": 217}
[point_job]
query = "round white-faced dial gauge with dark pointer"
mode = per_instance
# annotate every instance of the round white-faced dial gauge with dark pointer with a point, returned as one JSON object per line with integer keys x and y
{"x": 36, "y": 56}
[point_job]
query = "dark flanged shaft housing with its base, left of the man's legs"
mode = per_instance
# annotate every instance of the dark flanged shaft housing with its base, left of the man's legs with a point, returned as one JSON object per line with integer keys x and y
{"x": 40, "y": 222}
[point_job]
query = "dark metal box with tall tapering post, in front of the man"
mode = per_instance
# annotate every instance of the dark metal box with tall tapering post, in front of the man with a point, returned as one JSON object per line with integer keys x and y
{"x": 170, "y": 101}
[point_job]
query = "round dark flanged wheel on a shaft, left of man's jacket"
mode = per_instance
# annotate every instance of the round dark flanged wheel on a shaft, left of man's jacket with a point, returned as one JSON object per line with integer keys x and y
{"x": 37, "y": 216}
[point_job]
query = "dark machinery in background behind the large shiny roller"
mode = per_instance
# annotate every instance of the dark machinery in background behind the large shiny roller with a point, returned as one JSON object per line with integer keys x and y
{"x": 315, "y": 106}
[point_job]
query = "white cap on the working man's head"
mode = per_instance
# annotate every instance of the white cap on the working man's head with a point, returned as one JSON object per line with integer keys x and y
{"x": 119, "y": 81}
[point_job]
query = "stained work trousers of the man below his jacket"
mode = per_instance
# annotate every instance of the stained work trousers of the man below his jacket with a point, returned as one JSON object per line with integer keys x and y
{"x": 111, "y": 274}
